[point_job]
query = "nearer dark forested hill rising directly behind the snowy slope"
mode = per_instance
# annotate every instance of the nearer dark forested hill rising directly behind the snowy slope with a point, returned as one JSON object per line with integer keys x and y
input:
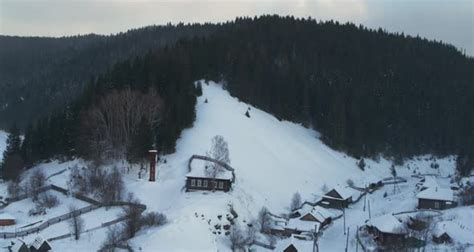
{"x": 366, "y": 91}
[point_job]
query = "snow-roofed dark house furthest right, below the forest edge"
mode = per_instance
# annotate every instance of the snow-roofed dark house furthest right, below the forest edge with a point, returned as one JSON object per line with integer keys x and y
{"x": 436, "y": 198}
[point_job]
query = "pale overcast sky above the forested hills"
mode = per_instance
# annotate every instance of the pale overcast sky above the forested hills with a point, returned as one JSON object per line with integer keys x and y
{"x": 451, "y": 21}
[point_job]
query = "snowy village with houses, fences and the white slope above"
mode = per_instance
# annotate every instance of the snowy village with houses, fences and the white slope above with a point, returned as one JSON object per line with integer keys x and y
{"x": 251, "y": 199}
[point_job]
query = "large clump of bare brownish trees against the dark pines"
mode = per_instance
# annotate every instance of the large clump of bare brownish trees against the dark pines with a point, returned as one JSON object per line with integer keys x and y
{"x": 108, "y": 126}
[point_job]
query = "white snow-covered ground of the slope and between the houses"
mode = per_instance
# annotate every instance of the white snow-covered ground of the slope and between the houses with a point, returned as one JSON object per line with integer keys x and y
{"x": 272, "y": 159}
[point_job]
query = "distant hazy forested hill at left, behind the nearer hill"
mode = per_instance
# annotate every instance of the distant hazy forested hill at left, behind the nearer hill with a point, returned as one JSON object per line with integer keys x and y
{"x": 39, "y": 74}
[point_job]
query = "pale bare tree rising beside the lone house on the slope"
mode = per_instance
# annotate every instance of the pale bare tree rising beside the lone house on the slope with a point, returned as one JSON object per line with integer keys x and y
{"x": 220, "y": 152}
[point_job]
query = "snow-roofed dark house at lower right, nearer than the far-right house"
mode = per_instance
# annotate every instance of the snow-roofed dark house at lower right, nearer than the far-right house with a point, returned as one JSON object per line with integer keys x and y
{"x": 387, "y": 230}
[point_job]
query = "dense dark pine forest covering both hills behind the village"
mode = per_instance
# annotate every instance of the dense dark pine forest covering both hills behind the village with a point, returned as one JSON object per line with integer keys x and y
{"x": 368, "y": 92}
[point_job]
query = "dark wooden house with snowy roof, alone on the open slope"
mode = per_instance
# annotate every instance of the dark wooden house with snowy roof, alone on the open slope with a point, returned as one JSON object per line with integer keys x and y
{"x": 209, "y": 175}
